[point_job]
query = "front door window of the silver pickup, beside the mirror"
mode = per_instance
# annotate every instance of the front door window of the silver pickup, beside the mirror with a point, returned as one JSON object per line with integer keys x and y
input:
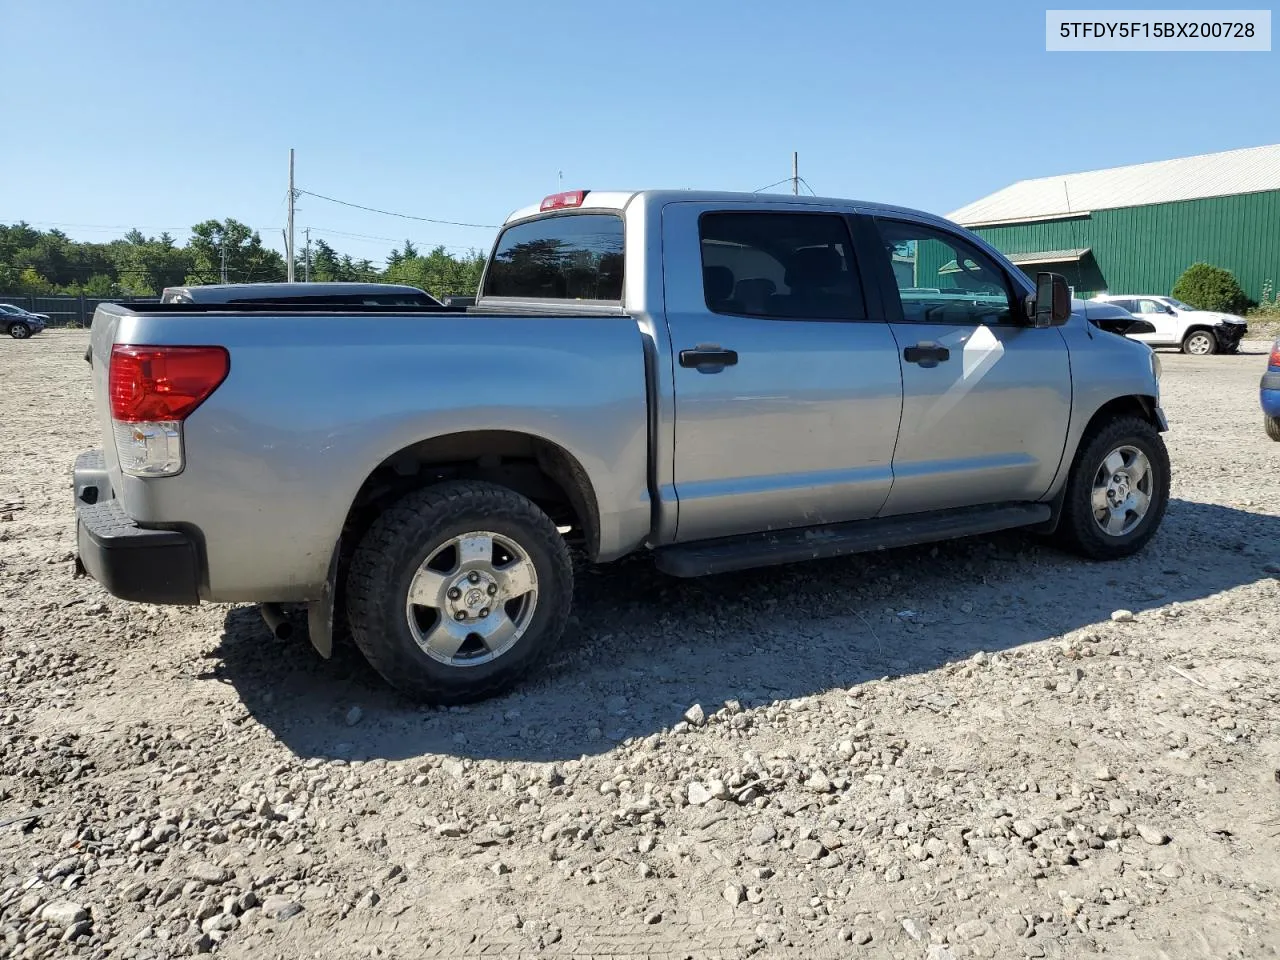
{"x": 941, "y": 278}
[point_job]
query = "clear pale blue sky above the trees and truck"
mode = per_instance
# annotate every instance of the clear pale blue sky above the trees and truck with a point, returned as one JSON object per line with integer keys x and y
{"x": 161, "y": 113}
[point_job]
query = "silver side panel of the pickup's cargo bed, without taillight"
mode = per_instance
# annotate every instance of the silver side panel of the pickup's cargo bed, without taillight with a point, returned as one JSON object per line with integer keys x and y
{"x": 317, "y": 399}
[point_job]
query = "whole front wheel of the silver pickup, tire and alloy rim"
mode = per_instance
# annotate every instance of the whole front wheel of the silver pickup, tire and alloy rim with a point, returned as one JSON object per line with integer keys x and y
{"x": 1118, "y": 491}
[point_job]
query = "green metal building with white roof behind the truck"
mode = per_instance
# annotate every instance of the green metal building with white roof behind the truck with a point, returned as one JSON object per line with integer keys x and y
{"x": 1135, "y": 230}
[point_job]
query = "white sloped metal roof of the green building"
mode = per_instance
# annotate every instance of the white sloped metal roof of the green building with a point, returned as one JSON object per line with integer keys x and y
{"x": 1247, "y": 171}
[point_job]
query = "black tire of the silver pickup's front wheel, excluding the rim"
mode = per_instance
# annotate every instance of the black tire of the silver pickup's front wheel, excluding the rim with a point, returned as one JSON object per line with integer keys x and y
{"x": 1078, "y": 532}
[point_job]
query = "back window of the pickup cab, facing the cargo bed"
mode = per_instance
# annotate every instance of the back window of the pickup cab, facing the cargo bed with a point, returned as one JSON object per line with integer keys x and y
{"x": 573, "y": 257}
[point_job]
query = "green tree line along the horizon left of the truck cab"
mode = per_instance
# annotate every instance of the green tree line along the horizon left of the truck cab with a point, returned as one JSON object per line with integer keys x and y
{"x": 43, "y": 263}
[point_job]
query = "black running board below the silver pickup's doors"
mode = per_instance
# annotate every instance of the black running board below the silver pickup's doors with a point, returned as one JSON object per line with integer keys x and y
{"x": 730, "y": 554}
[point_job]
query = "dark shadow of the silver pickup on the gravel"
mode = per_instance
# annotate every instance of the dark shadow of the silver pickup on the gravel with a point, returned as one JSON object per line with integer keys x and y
{"x": 643, "y": 648}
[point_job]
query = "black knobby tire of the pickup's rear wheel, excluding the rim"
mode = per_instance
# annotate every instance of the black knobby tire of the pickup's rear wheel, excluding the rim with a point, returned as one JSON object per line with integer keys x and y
{"x": 403, "y": 538}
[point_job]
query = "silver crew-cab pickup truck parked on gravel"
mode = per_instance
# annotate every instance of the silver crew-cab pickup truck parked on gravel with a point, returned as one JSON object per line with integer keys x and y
{"x": 726, "y": 381}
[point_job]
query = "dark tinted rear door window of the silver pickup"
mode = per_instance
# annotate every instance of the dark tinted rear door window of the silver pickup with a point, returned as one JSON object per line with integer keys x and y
{"x": 781, "y": 266}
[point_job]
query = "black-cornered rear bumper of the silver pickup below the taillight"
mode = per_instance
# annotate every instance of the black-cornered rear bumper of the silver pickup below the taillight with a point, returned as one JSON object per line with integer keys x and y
{"x": 134, "y": 564}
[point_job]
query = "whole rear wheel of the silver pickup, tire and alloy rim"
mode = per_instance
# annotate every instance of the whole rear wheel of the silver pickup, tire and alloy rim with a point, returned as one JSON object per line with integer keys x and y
{"x": 459, "y": 591}
